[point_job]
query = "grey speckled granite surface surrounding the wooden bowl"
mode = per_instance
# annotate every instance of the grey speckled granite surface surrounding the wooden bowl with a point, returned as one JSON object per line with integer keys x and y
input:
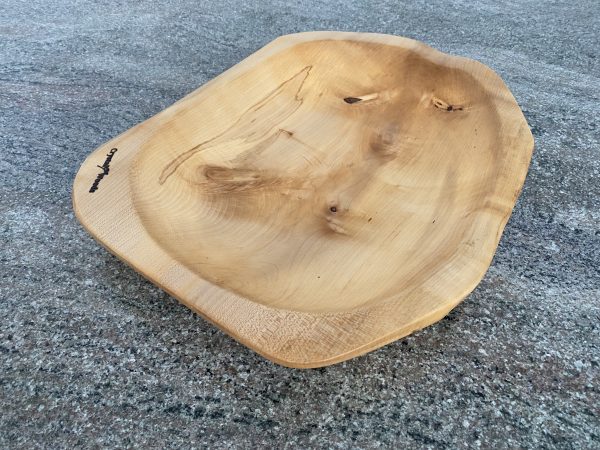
{"x": 93, "y": 355}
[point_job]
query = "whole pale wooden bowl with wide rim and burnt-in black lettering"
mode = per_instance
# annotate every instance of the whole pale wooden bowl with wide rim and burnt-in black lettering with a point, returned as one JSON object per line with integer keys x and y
{"x": 327, "y": 195}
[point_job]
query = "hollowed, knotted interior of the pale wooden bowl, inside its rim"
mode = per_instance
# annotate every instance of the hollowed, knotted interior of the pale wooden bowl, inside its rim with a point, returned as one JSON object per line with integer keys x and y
{"x": 332, "y": 175}
